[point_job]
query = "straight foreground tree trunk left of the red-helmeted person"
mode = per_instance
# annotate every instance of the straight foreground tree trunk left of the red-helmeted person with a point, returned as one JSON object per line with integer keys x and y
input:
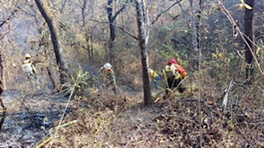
{"x": 142, "y": 40}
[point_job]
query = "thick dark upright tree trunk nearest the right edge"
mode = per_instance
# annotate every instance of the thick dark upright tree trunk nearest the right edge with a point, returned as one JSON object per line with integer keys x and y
{"x": 249, "y": 35}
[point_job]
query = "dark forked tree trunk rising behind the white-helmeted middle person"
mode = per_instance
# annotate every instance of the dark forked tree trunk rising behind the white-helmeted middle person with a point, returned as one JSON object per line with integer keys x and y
{"x": 111, "y": 18}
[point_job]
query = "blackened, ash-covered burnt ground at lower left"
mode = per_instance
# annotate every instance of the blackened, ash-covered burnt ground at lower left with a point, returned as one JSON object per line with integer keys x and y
{"x": 29, "y": 116}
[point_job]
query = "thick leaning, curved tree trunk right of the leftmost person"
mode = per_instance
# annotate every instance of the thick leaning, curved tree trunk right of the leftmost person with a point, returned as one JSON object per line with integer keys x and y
{"x": 44, "y": 10}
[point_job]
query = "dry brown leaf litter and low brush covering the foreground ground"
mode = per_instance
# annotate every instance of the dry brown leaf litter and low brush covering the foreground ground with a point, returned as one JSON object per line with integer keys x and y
{"x": 121, "y": 121}
